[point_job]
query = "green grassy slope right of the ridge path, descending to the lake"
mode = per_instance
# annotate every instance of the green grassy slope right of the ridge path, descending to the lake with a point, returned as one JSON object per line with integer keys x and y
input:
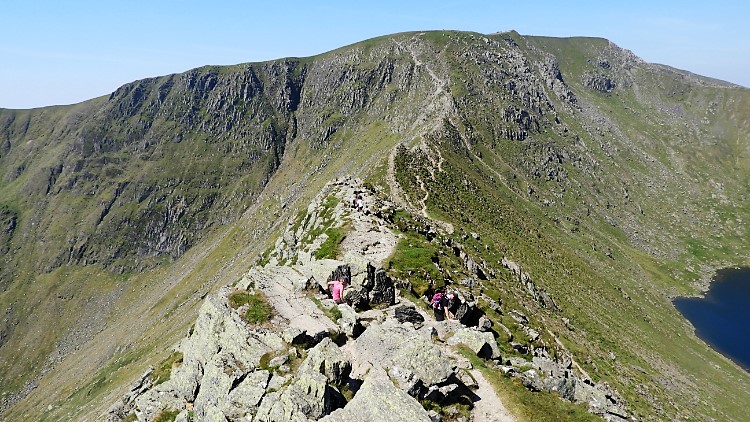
{"x": 663, "y": 237}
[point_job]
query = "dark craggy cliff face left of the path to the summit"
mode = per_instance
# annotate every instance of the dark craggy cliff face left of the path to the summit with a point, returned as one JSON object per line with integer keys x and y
{"x": 142, "y": 175}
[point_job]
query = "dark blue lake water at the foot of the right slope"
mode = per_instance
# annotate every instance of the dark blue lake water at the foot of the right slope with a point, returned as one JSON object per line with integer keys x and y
{"x": 722, "y": 317}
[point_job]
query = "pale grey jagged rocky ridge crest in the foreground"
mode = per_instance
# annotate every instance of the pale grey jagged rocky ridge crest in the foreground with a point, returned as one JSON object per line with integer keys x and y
{"x": 379, "y": 359}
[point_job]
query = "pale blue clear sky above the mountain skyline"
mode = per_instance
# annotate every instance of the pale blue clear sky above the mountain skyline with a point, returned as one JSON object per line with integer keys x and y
{"x": 63, "y": 52}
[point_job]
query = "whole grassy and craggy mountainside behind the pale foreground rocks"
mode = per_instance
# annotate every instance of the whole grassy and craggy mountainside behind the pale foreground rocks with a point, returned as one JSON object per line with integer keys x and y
{"x": 614, "y": 183}
